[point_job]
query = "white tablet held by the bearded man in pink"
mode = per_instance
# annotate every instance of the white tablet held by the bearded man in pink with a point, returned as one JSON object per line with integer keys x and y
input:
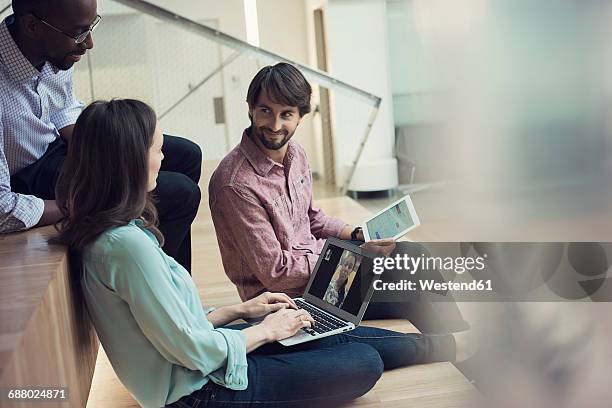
{"x": 392, "y": 222}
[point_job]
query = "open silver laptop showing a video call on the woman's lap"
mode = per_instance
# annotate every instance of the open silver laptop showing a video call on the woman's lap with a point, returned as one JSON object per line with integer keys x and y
{"x": 338, "y": 292}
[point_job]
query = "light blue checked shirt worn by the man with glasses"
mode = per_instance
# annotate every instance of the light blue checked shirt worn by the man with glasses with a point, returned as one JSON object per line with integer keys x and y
{"x": 34, "y": 105}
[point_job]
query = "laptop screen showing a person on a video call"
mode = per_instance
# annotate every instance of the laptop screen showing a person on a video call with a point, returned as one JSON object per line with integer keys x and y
{"x": 342, "y": 279}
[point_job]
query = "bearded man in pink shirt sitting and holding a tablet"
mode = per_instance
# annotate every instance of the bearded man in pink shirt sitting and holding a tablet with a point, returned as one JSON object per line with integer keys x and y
{"x": 269, "y": 233}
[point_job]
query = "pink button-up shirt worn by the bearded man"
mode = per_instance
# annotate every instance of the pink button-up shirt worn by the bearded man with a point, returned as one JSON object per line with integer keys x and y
{"x": 269, "y": 233}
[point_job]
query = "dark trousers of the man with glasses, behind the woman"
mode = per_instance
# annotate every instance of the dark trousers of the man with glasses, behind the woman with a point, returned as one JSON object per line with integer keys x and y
{"x": 177, "y": 192}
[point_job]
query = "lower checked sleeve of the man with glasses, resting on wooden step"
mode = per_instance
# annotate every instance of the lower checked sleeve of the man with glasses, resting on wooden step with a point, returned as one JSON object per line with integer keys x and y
{"x": 17, "y": 211}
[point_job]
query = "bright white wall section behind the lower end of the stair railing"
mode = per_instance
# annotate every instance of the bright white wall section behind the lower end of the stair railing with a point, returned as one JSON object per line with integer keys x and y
{"x": 358, "y": 51}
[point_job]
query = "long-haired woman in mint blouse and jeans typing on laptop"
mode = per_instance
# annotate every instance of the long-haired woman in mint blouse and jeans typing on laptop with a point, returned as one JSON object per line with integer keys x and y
{"x": 164, "y": 346}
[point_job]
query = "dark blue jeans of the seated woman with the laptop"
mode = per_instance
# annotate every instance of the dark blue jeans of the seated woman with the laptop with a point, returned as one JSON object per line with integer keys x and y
{"x": 325, "y": 372}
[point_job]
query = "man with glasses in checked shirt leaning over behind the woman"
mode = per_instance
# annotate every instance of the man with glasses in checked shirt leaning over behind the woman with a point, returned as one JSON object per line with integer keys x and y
{"x": 39, "y": 44}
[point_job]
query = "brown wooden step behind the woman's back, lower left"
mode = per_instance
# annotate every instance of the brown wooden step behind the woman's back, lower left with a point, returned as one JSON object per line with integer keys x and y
{"x": 44, "y": 342}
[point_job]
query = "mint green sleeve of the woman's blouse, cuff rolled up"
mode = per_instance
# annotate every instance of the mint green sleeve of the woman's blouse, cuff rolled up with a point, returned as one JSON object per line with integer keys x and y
{"x": 139, "y": 275}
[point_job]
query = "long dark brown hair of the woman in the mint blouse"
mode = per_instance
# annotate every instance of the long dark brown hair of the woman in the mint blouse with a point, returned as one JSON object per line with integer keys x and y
{"x": 104, "y": 180}
